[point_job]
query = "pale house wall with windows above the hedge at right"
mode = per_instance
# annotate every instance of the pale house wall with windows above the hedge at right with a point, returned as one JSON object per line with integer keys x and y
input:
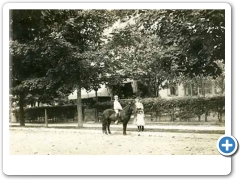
{"x": 183, "y": 90}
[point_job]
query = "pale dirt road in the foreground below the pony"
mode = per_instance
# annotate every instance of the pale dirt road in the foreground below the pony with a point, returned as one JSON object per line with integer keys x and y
{"x": 44, "y": 141}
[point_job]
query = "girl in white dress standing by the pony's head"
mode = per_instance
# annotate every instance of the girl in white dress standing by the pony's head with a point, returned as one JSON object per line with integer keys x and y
{"x": 139, "y": 115}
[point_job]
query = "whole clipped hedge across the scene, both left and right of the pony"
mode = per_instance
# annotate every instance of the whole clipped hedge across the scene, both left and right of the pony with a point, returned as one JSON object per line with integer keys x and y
{"x": 183, "y": 108}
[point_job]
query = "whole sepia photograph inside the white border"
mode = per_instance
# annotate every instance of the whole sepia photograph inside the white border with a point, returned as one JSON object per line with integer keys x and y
{"x": 116, "y": 81}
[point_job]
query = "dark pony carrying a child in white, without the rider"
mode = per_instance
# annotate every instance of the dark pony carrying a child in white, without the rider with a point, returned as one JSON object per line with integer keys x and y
{"x": 109, "y": 116}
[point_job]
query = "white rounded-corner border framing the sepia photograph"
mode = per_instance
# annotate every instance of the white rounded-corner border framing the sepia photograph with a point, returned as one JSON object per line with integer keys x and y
{"x": 110, "y": 164}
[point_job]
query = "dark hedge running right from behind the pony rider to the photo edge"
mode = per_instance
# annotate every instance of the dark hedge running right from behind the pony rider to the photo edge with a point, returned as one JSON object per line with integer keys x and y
{"x": 183, "y": 108}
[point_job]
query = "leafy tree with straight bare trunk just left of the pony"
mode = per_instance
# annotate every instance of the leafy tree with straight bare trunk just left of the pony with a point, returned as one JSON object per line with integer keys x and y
{"x": 82, "y": 35}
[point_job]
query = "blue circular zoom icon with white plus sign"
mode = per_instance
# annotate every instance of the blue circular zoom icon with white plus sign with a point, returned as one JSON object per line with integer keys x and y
{"x": 227, "y": 145}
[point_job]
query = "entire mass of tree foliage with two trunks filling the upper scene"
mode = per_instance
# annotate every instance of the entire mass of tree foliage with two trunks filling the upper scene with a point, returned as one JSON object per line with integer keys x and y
{"x": 54, "y": 52}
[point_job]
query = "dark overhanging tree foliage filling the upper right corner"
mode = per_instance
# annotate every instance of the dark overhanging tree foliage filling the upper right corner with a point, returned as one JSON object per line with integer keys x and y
{"x": 200, "y": 35}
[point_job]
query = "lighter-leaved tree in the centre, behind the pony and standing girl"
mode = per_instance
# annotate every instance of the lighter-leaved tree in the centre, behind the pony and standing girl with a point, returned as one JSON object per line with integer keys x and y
{"x": 142, "y": 58}
